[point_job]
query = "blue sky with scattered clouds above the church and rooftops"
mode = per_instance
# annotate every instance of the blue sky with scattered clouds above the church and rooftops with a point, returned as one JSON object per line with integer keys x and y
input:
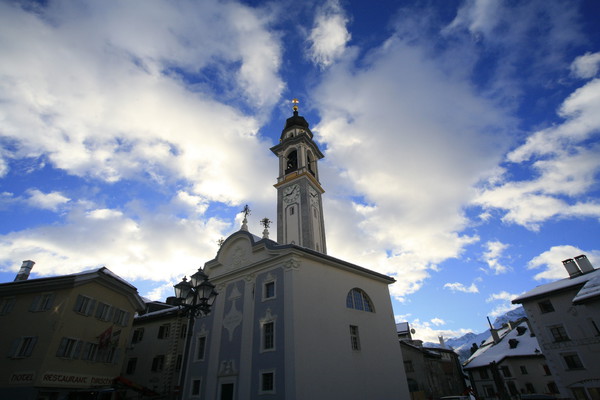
{"x": 461, "y": 139}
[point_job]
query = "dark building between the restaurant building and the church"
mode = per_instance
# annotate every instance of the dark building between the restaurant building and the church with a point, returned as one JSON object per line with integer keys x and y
{"x": 153, "y": 360}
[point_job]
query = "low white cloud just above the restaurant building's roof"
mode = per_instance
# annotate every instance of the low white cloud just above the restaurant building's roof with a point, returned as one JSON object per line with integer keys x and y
{"x": 135, "y": 243}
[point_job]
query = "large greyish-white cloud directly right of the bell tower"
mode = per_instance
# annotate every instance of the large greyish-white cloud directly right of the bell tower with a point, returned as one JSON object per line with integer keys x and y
{"x": 408, "y": 141}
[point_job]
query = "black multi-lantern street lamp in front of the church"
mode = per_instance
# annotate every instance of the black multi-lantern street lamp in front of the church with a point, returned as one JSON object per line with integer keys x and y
{"x": 195, "y": 298}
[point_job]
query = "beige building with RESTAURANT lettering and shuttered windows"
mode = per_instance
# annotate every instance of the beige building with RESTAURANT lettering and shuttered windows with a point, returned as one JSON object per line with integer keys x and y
{"x": 64, "y": 336}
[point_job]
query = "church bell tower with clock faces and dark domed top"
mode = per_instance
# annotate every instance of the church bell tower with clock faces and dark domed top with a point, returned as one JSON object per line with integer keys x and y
{"x": 299, "y": 203}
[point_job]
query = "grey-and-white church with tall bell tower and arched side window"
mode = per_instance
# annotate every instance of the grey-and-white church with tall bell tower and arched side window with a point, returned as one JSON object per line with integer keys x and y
{"x": 290, "y": 321}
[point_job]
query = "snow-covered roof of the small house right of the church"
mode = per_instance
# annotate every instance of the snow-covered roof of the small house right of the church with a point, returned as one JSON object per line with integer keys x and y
{"x": 517, "y": 342}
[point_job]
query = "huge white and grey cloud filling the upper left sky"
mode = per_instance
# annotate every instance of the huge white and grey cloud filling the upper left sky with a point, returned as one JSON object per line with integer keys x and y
{"x": 102, "y": 91}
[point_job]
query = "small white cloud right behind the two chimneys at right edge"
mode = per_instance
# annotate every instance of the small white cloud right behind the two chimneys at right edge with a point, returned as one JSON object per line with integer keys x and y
{"x": 551, "y": 264}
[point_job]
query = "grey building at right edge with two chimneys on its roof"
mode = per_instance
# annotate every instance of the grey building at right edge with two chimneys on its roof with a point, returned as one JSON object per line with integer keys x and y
{"x": 565, "y": 316}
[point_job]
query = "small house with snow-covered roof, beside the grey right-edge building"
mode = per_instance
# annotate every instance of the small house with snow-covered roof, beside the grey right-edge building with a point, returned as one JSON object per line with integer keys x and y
{"x": 510, "y": 364}
